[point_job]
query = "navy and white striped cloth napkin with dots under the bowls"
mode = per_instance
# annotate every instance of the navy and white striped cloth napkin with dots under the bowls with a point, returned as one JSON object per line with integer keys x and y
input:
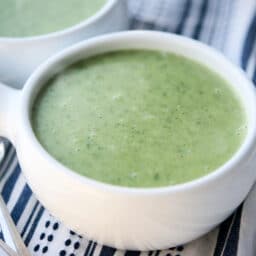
{"x": 227, "y": 25}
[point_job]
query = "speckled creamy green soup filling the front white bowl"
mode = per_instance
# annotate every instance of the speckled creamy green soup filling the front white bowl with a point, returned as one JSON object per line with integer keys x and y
{"x": 139, "y": 119}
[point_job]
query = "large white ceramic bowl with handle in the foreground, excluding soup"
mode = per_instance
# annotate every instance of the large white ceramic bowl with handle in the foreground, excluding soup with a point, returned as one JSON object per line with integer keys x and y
{"x": 131, "y": 218}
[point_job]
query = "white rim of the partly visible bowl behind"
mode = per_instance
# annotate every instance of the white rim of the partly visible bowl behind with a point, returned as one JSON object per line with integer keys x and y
{"x": 104, "y": 9}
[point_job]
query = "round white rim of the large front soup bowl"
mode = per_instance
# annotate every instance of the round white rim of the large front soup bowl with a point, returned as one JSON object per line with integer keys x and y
{"x": 242, "y": 153}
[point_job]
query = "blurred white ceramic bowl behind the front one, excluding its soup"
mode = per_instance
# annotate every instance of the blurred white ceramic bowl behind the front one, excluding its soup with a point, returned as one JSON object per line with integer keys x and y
{"x": 20, "y": 56}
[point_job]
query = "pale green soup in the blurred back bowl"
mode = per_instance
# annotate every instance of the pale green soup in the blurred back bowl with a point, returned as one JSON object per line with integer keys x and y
{"x": 20, "y": 18}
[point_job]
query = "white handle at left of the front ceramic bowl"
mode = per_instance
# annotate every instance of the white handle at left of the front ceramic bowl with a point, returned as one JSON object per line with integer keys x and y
{"x": 9, "y": 102}
